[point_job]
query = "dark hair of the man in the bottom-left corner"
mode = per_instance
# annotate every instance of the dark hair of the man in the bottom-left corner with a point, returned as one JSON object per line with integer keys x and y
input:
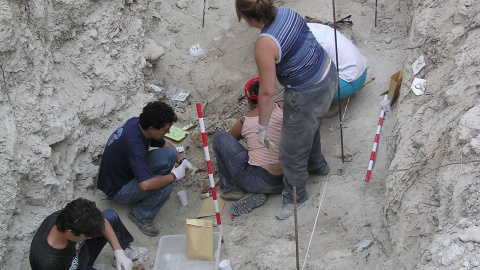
{"x": 82, "y": 217}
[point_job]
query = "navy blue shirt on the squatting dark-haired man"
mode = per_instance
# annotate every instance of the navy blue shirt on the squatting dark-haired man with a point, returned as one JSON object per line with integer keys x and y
{"x": 125, "y": 158}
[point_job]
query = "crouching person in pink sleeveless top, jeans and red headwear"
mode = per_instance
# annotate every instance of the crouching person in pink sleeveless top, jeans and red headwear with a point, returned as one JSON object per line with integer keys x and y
{"x": 255, "y": 170}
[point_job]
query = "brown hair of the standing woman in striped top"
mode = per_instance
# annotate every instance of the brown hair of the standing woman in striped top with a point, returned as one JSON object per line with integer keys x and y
{"x": 260, "y": 10}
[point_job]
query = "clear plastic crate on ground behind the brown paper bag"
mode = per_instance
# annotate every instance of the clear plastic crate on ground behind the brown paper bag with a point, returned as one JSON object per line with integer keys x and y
{"x": 172, "y": 254}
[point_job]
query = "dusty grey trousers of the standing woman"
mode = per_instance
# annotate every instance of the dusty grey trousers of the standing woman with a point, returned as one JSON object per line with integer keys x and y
{"x": 300, "y": 147}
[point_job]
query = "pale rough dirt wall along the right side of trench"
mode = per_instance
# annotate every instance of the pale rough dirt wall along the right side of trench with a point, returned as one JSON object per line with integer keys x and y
{"x": 432, "y": 189}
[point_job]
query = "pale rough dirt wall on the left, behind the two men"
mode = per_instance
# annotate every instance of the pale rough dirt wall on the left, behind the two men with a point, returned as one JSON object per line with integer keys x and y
{"x": 68, "y": 67}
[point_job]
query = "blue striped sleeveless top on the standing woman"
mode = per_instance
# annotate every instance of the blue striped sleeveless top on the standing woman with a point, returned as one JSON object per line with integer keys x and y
{"x": 301, "y": 58}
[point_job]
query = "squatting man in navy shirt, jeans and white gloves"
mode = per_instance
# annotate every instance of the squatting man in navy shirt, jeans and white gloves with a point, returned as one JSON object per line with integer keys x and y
{"x": 132, "y": 172}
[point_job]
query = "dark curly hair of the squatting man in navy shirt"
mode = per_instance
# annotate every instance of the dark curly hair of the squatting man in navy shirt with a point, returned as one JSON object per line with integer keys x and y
{"x": 156, "y": 114}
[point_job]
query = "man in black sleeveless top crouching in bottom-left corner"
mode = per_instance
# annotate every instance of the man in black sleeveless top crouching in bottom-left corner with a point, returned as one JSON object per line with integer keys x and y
{"x": 72, "y": 239}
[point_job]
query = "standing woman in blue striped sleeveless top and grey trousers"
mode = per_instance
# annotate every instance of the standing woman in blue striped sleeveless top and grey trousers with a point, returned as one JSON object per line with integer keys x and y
{"x": 286, "y": 50}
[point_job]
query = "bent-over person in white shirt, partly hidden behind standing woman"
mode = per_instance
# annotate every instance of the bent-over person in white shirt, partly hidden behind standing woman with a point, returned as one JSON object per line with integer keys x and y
{"x": 352, "y": 66}
